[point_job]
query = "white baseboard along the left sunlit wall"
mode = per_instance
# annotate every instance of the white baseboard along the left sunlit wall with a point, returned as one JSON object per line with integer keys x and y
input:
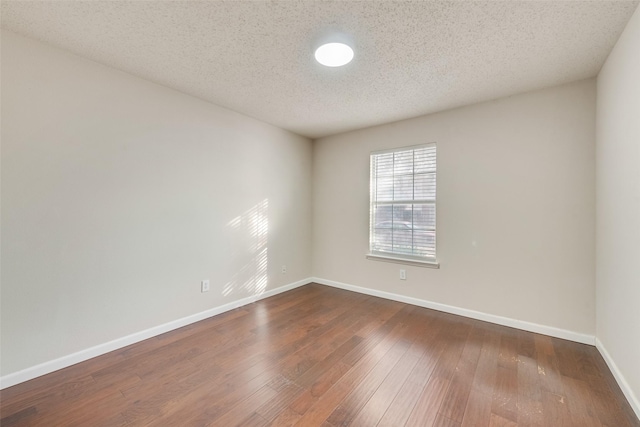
{"x": 98, "y": 350}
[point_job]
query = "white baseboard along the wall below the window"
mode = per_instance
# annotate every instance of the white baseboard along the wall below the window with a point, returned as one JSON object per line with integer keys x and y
{"x": 505, "y": 321}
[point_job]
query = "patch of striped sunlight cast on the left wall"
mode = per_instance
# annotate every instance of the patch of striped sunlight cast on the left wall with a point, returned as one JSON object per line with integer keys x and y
{"x": 249, "y": 233}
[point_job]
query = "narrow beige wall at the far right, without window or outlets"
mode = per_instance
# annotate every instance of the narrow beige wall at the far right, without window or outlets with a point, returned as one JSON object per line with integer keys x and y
{"x": 618, "y": 208}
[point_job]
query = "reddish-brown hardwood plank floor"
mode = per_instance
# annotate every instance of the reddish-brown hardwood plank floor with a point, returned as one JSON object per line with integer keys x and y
{"x": 318, "y": 356}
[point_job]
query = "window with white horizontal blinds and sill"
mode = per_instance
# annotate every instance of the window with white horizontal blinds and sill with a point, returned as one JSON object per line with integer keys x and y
{"x": 403, "y": 205}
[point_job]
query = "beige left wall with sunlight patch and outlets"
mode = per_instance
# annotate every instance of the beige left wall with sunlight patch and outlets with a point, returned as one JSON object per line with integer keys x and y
{"x": 119, "y": 196}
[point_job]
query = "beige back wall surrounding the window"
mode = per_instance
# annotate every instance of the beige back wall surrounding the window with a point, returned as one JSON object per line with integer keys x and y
{"x": 515, "y": 213}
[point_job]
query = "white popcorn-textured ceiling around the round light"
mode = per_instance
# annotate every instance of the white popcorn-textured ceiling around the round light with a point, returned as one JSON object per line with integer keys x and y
{"x": 412, "y": 58}
